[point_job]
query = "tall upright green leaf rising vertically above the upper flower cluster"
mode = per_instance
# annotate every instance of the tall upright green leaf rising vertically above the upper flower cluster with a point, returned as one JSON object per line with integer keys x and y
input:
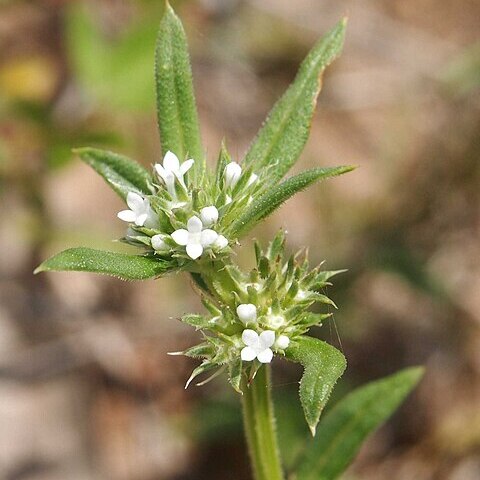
{"x": 176, "y": 109}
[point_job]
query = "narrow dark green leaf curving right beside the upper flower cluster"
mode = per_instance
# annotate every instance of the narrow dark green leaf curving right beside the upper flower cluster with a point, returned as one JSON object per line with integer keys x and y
{"x": 268, "y": 202}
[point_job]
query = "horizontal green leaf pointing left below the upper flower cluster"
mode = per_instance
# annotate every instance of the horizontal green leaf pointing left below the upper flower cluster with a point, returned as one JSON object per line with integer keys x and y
{"x": 126, "y": 267}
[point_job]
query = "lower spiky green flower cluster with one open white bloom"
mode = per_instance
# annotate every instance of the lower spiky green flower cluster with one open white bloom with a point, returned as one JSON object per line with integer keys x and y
{"x": 255, "y": 316}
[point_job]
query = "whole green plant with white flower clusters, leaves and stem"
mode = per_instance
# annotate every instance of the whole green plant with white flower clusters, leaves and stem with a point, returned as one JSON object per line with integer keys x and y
{"x": 185, "y": 217}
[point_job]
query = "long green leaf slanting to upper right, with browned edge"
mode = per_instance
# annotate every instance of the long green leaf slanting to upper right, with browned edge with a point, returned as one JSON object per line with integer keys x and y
{"x": 285, "y": 132}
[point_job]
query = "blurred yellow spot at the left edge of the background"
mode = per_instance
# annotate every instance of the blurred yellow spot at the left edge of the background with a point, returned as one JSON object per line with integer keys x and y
{"x": 31, "y": 79}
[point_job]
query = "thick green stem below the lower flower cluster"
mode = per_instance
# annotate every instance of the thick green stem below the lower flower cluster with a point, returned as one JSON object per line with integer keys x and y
{"x": 260, "y": 431}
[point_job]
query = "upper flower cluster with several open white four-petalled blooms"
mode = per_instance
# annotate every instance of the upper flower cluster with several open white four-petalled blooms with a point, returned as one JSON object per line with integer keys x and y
{"x": 174, "y": 221}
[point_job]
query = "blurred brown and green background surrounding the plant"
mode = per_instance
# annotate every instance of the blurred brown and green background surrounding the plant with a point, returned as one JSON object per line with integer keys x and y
{"x": 86, "y": 388}
